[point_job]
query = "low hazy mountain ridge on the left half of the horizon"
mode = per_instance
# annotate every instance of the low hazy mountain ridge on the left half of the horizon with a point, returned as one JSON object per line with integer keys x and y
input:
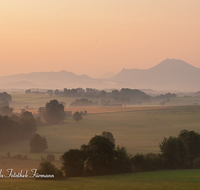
{"x": 62, "y": 79}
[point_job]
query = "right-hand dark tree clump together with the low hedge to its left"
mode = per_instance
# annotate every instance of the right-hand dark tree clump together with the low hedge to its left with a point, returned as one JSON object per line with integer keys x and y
{"x": 176, "y": 153}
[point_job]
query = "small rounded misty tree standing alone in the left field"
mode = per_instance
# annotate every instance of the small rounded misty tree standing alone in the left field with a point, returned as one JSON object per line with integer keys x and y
{"x": 38, "y": 144}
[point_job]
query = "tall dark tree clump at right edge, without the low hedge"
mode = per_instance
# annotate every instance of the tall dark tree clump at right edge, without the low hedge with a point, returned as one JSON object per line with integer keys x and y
{"x": 181, "y": 151}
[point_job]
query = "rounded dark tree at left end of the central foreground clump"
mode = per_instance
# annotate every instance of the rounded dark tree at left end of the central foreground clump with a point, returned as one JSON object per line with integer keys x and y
{"x": 73, "y": 163}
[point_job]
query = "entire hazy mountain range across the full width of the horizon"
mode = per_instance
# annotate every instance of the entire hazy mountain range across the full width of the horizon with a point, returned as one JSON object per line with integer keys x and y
{"x": 170, "y": 74}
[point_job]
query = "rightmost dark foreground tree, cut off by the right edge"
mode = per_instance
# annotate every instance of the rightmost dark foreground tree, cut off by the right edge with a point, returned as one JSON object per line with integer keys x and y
{"x": 192, "y": 141}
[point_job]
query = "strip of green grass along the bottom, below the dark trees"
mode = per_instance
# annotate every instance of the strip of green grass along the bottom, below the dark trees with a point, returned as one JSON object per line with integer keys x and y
{"x": 157, "y": 180}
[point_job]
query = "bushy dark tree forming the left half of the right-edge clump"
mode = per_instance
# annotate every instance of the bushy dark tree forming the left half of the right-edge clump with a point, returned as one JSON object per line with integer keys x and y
{"x": 174, "y": 152}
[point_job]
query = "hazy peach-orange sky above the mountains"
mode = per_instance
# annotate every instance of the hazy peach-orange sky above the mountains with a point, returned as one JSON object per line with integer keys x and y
{"x": 94, "y": 36}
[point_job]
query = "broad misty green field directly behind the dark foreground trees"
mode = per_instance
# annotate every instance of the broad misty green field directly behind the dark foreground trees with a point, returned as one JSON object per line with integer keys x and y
{"x": 139, "y": 131}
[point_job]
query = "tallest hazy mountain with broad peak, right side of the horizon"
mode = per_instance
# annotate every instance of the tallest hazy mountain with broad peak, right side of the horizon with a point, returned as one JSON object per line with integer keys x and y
{"x": 170, "y": 74}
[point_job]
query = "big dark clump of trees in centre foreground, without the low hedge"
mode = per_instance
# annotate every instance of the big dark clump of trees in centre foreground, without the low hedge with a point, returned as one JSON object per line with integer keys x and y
{"x": 98, "y": 157}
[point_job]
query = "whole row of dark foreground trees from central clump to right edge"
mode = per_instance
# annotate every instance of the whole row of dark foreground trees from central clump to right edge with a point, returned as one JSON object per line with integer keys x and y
{"x": 100, "y": 156}
